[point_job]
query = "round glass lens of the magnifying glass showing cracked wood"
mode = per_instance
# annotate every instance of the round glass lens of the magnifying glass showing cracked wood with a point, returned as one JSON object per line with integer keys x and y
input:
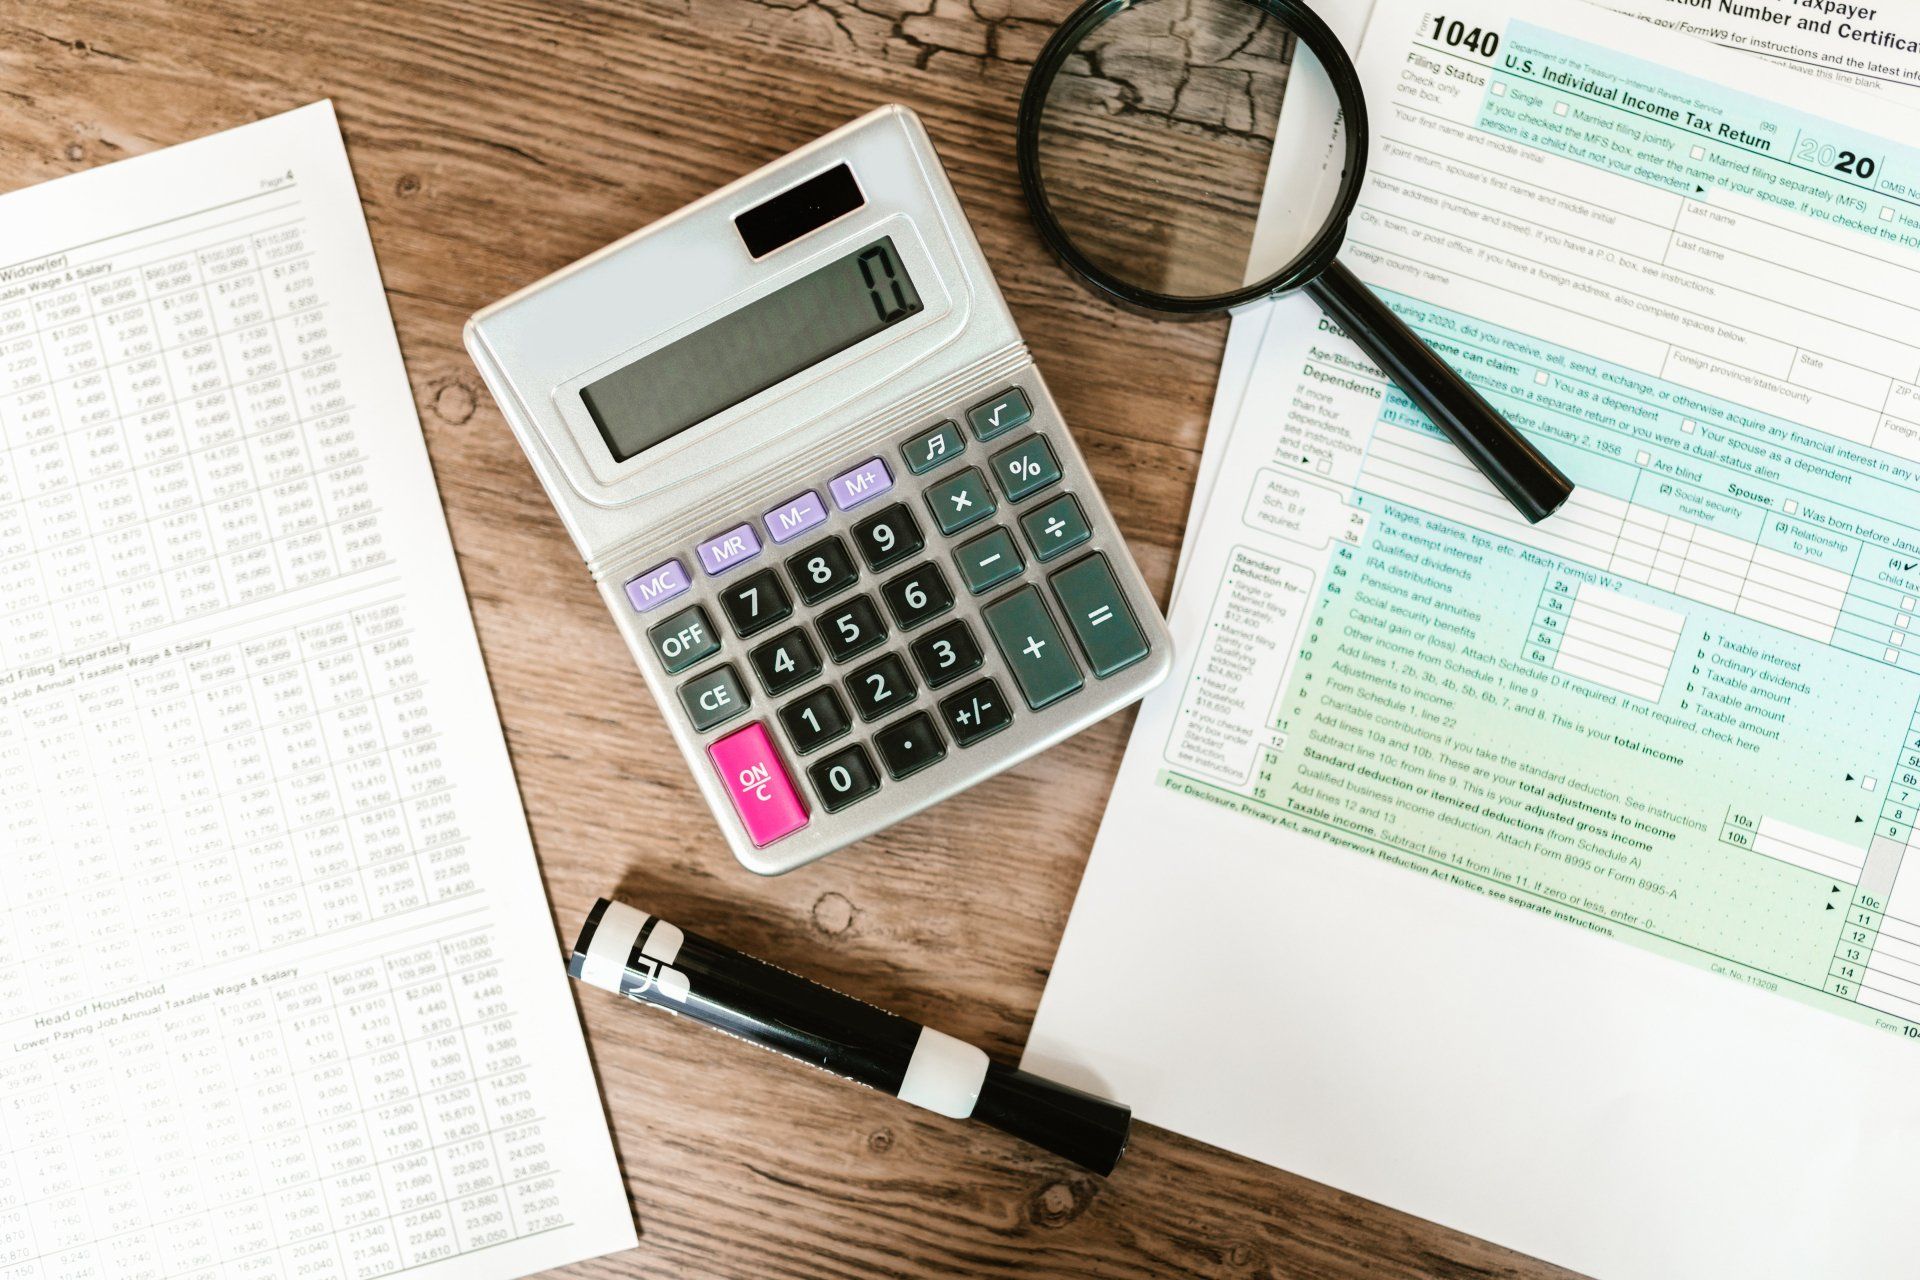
{"x": 1157, "y": 141}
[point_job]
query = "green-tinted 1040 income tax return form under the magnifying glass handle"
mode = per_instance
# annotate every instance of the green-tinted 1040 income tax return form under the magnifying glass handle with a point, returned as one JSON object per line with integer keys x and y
{"x": 1558, "y": 884}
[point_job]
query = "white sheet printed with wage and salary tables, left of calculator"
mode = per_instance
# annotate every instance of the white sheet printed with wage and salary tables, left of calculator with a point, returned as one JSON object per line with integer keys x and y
{"x": 277, "y": 985}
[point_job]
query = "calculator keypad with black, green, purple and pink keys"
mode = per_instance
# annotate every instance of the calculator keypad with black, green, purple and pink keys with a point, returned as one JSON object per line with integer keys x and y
{"x": 842, "y": 671}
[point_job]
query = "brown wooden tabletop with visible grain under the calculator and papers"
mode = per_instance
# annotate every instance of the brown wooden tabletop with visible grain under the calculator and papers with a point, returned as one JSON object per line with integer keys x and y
{"x": 498, "y": 141}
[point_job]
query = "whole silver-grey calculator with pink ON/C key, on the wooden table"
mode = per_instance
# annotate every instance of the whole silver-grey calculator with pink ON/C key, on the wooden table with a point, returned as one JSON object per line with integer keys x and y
{"x": 825, "y": 492}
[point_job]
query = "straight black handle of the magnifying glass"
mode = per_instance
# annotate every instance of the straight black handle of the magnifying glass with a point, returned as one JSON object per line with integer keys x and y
{"x": 1506, "y": 458}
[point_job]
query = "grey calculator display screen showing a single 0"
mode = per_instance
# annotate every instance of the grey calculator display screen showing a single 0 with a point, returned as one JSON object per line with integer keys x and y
{"x": 750, "y": 350}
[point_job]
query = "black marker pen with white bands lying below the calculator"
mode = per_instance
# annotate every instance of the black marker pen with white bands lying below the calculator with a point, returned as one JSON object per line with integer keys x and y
{"x": 654, "y": 962}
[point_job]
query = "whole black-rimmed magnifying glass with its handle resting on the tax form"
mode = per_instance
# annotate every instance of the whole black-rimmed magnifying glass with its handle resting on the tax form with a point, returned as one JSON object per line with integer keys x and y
{"x": 1147, "y": 139}
